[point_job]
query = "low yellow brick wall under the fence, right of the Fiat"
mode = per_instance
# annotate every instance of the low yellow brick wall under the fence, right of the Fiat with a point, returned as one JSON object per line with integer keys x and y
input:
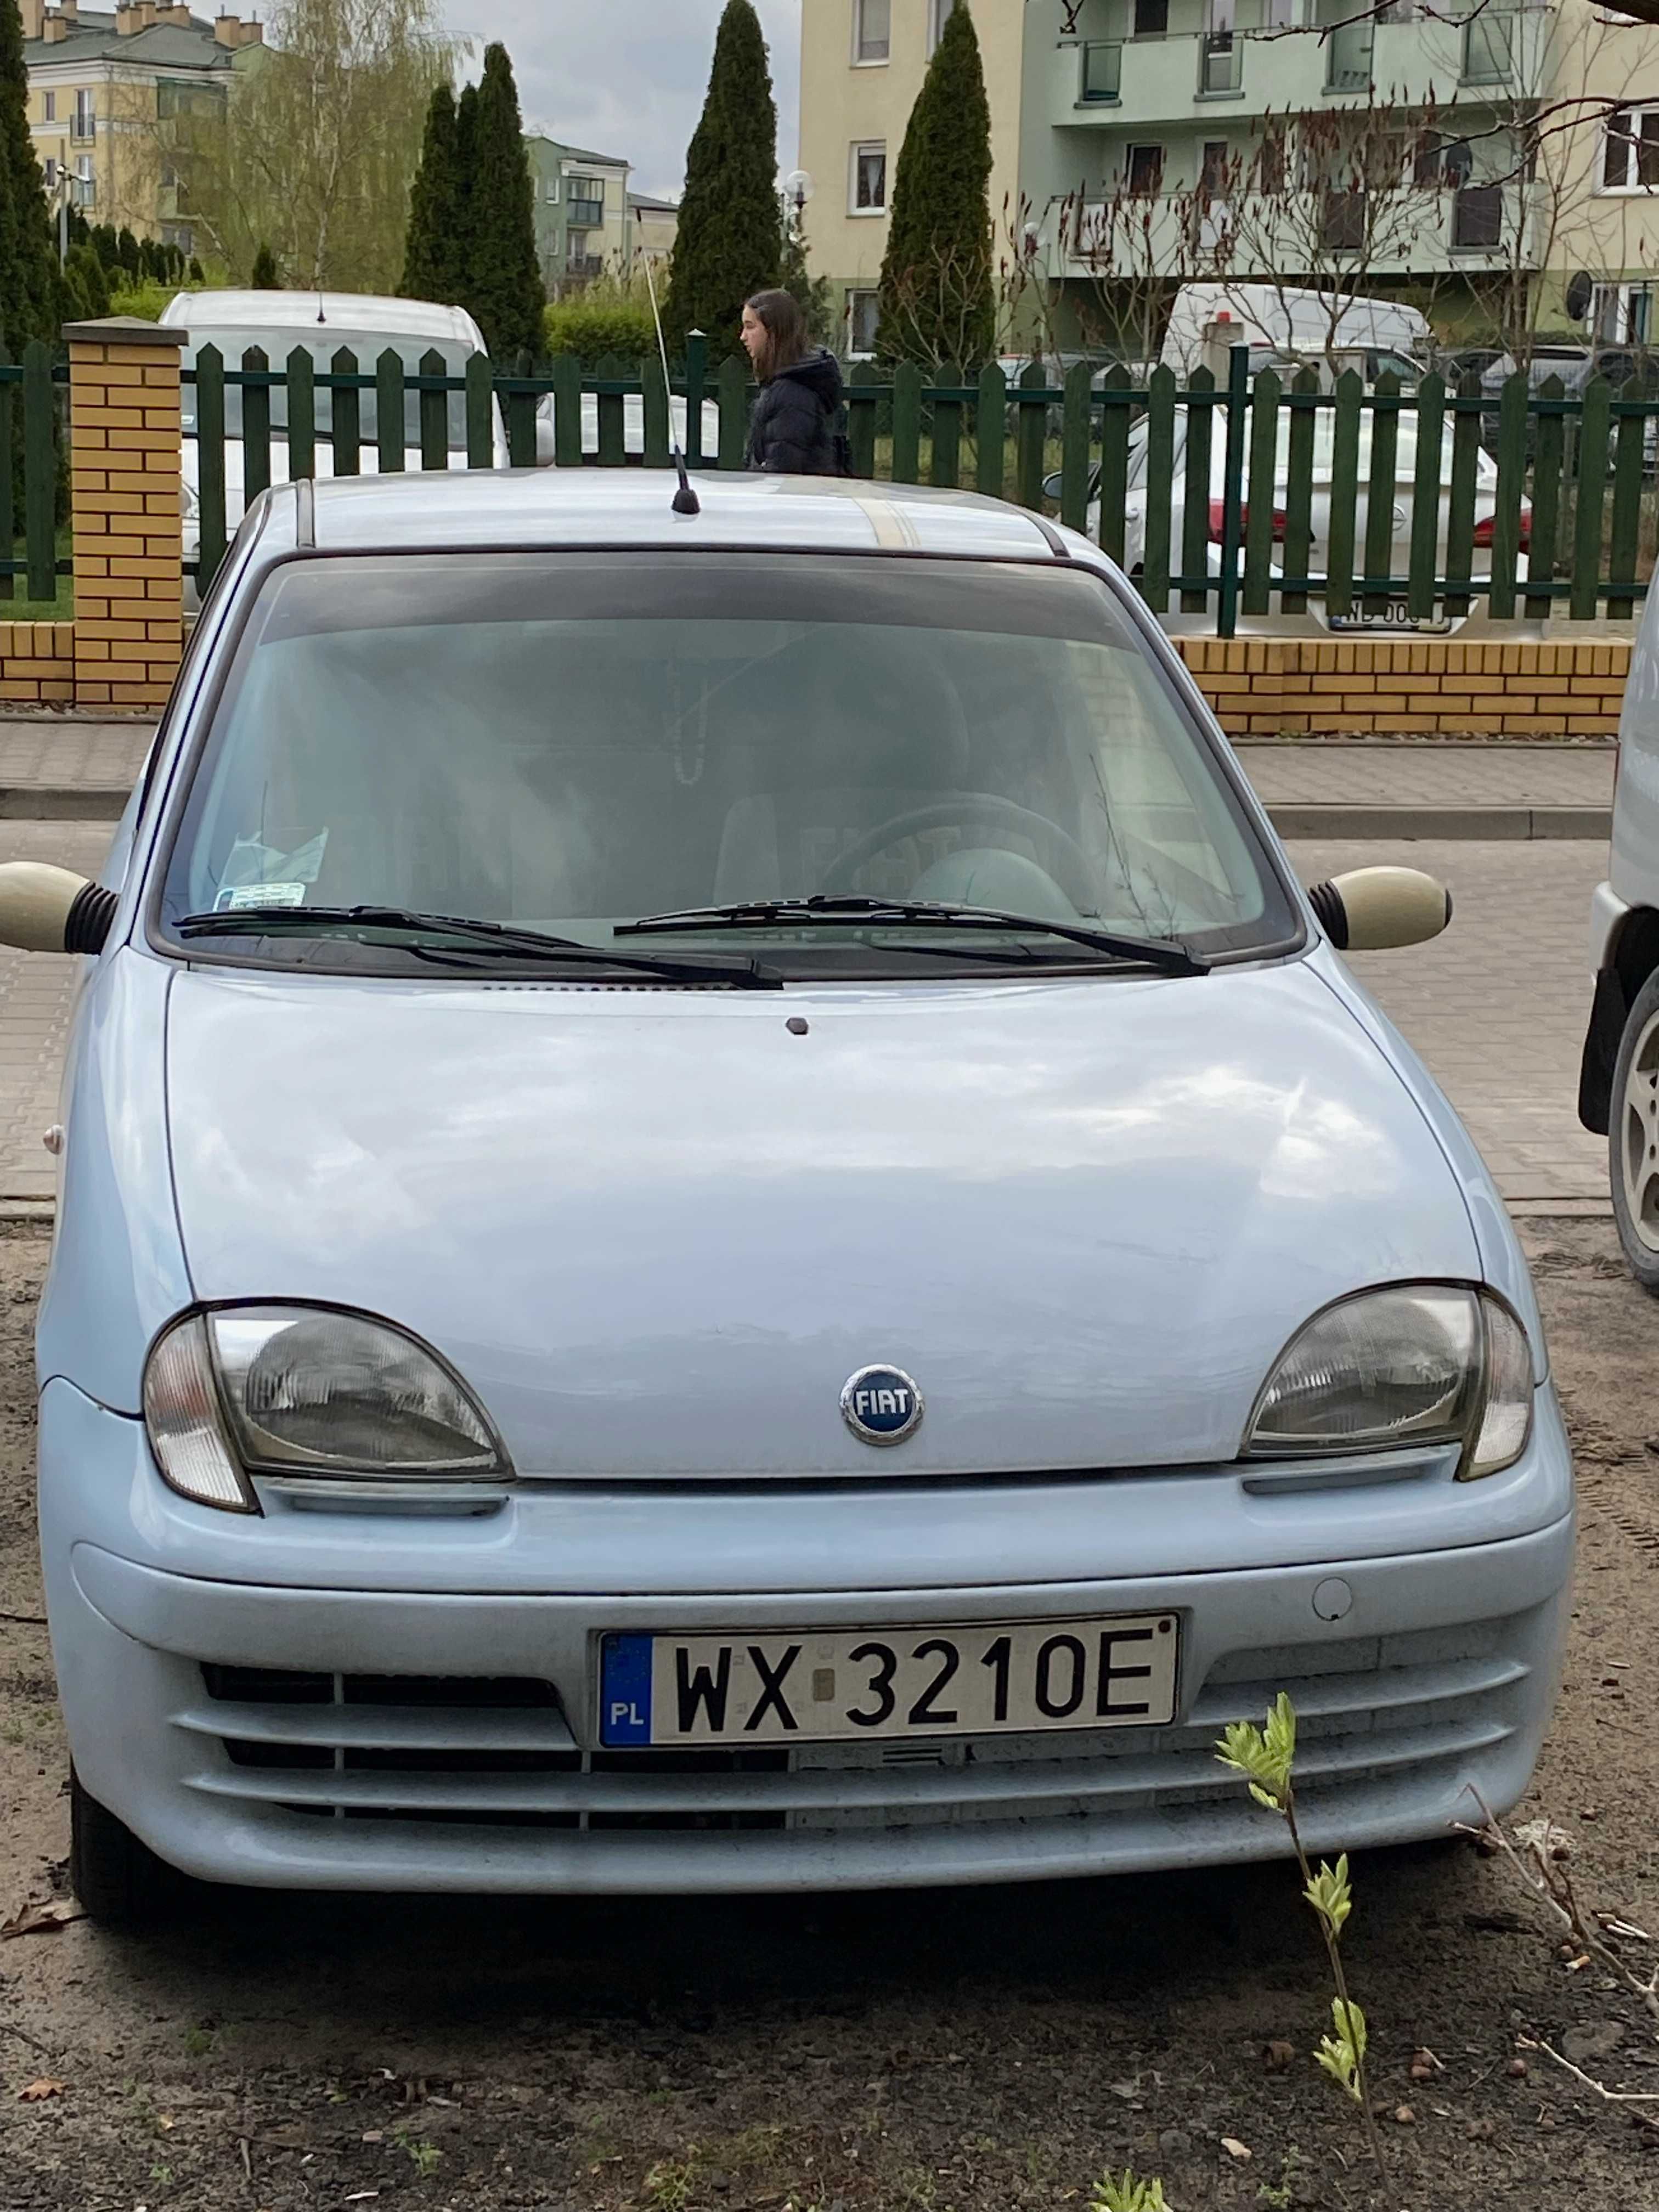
{"x": 1269, "y": 687}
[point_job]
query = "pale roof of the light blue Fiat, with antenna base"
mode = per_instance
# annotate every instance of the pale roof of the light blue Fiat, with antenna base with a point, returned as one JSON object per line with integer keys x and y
{"x": 543, "y": 510}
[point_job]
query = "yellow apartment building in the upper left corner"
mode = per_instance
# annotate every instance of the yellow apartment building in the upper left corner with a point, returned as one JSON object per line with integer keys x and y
{"x": 105, "y": 92}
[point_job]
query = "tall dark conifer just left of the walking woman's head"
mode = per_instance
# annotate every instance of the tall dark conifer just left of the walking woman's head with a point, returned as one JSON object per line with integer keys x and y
{"x": 731, "y": 240}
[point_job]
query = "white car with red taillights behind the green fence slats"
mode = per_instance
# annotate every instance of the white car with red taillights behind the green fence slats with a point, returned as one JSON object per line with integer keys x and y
{"x": 1395, "y": 616}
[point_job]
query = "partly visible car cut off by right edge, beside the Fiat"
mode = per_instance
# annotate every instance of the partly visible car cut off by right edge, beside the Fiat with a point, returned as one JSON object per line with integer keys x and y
{"x": 1620, "y": 1081}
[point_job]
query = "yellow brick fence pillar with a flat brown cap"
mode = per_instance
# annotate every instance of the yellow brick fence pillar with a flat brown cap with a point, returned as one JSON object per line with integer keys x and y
{"x": 125, "y": 510}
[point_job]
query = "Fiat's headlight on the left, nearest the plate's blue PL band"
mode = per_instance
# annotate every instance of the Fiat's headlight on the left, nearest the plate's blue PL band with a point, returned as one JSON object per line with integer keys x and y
{"x": 306, "y": 1392}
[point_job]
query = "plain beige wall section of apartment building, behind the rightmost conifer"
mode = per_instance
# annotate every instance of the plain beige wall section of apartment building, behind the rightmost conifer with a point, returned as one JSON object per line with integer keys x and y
{"x": 862, "y": 70}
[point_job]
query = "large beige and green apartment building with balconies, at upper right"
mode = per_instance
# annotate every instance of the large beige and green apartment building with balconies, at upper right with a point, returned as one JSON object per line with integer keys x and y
{"x": 1142, "y": 143}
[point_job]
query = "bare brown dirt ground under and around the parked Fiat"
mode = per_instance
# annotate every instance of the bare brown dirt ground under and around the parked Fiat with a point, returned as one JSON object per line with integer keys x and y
{"x": 963, "y": 2052}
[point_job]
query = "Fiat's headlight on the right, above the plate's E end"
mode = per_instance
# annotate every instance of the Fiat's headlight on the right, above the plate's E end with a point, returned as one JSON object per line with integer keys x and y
{"x": 1421, "y": 1364}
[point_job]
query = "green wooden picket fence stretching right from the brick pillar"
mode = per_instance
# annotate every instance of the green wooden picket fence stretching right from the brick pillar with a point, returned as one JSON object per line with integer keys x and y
{"x": 1224, "y": 499}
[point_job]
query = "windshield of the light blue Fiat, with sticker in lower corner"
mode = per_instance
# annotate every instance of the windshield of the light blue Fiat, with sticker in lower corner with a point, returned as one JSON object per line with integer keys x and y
{"x": 576, "y": 742}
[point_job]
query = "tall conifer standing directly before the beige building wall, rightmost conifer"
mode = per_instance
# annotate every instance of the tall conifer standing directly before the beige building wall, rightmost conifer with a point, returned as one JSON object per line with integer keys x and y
{"x": 937, "y": 282}
